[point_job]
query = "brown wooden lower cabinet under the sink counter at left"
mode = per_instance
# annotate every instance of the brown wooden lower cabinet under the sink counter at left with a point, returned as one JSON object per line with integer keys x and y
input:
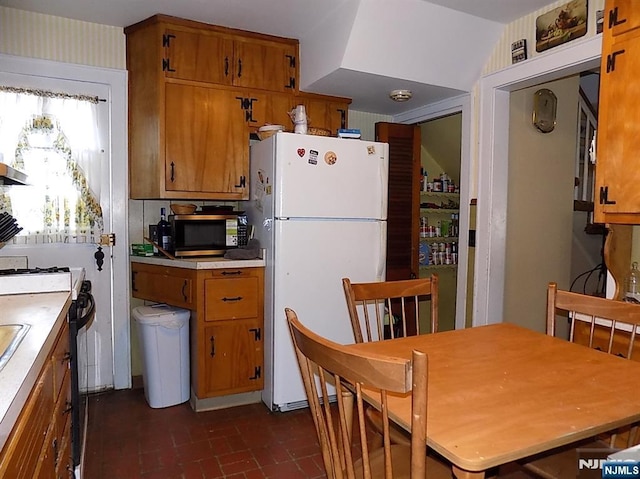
{"x": 39, "y": 444}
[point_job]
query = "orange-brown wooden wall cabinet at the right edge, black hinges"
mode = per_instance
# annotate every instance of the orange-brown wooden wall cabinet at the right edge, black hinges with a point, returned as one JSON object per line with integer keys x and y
{"x": 618, "y": 165}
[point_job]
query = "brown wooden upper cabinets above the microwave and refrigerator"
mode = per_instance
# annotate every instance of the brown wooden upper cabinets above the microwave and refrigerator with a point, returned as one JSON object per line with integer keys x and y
{"x": 196, "y": 94}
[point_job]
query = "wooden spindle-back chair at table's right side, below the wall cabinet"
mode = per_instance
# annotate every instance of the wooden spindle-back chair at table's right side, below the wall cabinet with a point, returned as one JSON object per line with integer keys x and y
{"x": 604, "y": 324}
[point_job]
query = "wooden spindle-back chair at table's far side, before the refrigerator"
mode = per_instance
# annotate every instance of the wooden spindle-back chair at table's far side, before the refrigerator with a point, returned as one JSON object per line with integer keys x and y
{"x": 389, "y": 309}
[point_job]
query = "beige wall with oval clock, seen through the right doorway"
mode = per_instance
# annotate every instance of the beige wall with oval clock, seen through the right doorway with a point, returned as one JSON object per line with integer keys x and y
{"x": 540, "y": 203}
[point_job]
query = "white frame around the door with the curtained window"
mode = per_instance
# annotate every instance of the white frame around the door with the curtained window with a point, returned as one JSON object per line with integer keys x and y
{"x": 116, "y": 81}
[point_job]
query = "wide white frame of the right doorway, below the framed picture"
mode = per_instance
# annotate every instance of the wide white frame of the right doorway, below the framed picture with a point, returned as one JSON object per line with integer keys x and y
{"x": 493, "y": 161}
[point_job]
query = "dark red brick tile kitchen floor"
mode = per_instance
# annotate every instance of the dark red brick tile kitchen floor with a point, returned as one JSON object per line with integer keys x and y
{"x": 127, "y": 439}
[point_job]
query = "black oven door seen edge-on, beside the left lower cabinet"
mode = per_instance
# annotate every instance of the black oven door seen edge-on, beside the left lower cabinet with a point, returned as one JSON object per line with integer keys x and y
{"x": 81, "y": 314}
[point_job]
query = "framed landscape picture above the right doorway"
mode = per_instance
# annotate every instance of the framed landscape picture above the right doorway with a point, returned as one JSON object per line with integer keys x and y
{"x": 561, "y": 25}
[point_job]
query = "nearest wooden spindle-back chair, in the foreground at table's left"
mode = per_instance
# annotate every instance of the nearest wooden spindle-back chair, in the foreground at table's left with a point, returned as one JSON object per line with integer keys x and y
{"x": 324, "y": 363}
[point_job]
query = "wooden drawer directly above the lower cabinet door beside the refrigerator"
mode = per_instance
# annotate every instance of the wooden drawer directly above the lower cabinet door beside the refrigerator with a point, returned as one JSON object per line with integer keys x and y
{"x": 231, "y": 298}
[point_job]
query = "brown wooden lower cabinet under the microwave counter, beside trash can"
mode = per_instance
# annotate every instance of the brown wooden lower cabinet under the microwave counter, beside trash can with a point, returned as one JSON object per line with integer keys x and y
{"x": 227, "y": 322}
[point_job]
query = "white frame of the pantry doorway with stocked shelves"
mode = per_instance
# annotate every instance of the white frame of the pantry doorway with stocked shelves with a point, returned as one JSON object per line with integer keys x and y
{"x": 460, "y": 104}
